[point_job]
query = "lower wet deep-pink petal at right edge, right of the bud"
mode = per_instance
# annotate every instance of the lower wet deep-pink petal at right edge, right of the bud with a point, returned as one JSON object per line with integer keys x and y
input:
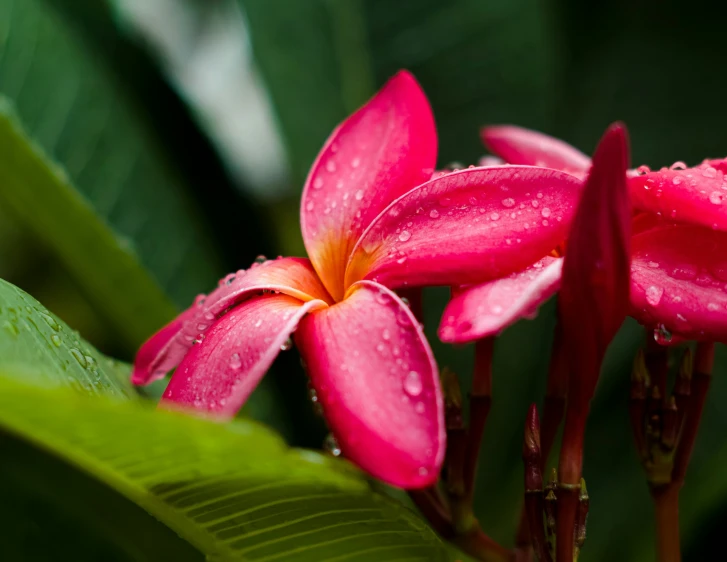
{"x": 679, "y": 281}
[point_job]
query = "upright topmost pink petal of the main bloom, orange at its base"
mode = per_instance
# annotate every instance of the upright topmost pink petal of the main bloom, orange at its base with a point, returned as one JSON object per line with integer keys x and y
{"x": 381, "y": 151}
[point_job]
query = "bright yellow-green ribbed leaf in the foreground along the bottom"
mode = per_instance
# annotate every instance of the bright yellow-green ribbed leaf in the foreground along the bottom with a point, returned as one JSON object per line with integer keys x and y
{"x": 234, "y": 491}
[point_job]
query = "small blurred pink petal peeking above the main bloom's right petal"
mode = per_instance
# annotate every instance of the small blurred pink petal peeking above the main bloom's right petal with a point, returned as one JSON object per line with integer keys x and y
{"x": 522, "y": 146}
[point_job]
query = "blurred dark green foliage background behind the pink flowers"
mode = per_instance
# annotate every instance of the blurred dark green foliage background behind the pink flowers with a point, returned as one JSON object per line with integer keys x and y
{"x": 189, "y": 125}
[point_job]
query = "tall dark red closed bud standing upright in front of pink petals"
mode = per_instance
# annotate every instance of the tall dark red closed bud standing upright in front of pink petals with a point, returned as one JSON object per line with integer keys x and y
{"x": 594, "y": 293}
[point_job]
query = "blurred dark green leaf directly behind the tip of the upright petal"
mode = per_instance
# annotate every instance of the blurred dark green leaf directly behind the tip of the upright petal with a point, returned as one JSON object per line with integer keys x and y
{"x": 477, "y": 61}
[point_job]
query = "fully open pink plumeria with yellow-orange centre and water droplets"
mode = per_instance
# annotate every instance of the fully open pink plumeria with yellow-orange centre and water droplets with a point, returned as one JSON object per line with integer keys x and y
{"x": 371, "y": 222}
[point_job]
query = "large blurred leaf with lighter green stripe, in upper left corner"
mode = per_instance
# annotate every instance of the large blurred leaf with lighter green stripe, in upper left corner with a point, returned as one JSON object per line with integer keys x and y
{"x": 86, "y": 120}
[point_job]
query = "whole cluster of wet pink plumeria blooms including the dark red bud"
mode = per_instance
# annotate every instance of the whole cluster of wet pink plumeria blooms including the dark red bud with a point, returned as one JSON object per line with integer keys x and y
{"x": 376, "y": 218}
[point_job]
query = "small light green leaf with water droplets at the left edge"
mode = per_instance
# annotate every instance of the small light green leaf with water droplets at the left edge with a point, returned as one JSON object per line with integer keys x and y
{"x": 38, "y": 347}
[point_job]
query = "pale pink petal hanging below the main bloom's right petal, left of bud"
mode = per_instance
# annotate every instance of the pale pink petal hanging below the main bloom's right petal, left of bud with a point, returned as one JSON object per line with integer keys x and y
{"x": 485, "y": 310}
